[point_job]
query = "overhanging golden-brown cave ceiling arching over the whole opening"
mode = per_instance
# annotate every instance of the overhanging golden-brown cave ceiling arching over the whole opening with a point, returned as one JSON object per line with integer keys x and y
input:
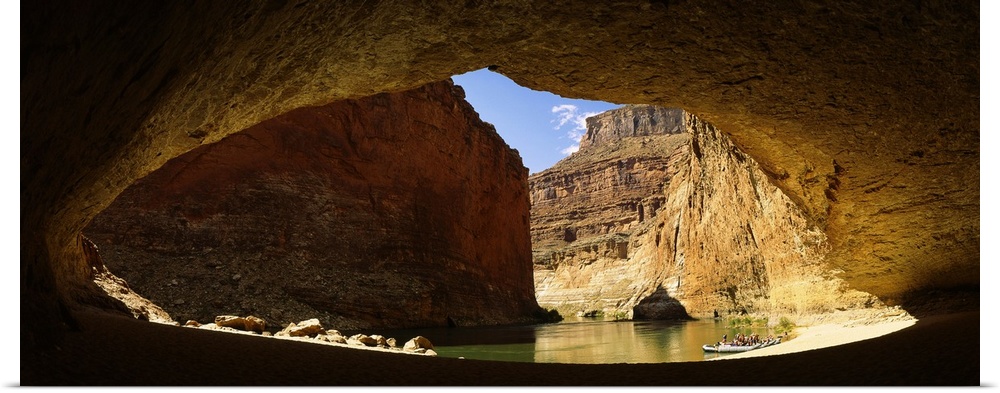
{"x": 865, "y": 115}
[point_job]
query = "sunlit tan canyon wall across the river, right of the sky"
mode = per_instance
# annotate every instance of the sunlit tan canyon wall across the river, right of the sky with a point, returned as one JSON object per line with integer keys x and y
{"x": 669, "y": 219}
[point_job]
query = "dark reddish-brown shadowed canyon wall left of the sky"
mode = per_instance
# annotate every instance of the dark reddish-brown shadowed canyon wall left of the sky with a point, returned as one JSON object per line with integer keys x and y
{"x": 396, "y": 210}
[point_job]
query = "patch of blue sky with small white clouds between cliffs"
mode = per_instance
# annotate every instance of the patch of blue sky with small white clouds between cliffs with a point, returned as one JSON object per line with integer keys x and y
{"x": 543, "y": 127}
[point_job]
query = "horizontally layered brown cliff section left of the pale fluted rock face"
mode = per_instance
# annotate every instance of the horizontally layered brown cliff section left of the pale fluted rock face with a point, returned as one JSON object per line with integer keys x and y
{"x": 588, "y": 209}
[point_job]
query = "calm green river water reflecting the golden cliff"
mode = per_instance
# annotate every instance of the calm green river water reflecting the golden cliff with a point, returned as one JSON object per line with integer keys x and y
{"x": 582, "y": 341}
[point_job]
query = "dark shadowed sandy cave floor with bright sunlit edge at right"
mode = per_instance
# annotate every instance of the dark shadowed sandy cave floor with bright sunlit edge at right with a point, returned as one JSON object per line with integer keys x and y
{"x": 118, "y": 351}
